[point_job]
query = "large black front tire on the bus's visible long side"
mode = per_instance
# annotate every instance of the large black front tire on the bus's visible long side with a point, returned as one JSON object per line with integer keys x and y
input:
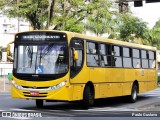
{"x": 88, "y": 97}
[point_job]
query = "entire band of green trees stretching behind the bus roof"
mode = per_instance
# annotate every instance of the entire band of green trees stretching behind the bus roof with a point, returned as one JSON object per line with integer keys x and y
{"x": 98, "y": 16}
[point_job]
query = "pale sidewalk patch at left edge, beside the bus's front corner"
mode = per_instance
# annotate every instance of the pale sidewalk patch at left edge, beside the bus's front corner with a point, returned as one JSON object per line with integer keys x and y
{"x": 5, "y": 87}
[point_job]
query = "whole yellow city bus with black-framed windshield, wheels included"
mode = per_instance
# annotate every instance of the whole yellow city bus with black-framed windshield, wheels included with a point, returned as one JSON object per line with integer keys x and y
{"x": 66, "y": 66}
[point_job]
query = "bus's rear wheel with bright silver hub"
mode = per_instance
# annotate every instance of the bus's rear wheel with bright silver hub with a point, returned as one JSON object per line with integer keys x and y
{"x": 134, "y": 93}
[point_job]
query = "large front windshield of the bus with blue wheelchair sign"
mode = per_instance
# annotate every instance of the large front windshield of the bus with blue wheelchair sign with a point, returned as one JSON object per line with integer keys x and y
{"x": 41, "y": 59}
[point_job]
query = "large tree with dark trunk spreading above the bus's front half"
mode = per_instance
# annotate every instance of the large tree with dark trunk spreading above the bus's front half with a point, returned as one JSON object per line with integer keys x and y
{"x": 53, "y": 14}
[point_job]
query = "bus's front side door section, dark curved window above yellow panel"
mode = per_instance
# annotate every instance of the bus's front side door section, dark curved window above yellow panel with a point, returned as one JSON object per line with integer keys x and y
{"x": 77, "y": 69}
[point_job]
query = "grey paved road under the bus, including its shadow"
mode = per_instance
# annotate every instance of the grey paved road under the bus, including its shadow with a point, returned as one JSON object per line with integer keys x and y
{"x": 147, "y": 104}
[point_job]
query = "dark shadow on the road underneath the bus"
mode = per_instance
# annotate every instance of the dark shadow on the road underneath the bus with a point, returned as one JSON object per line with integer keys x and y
{"x": 100, "y": 103}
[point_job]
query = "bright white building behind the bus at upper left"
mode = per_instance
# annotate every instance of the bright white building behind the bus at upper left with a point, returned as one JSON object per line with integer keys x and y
{"x": 10, "y": 26}
